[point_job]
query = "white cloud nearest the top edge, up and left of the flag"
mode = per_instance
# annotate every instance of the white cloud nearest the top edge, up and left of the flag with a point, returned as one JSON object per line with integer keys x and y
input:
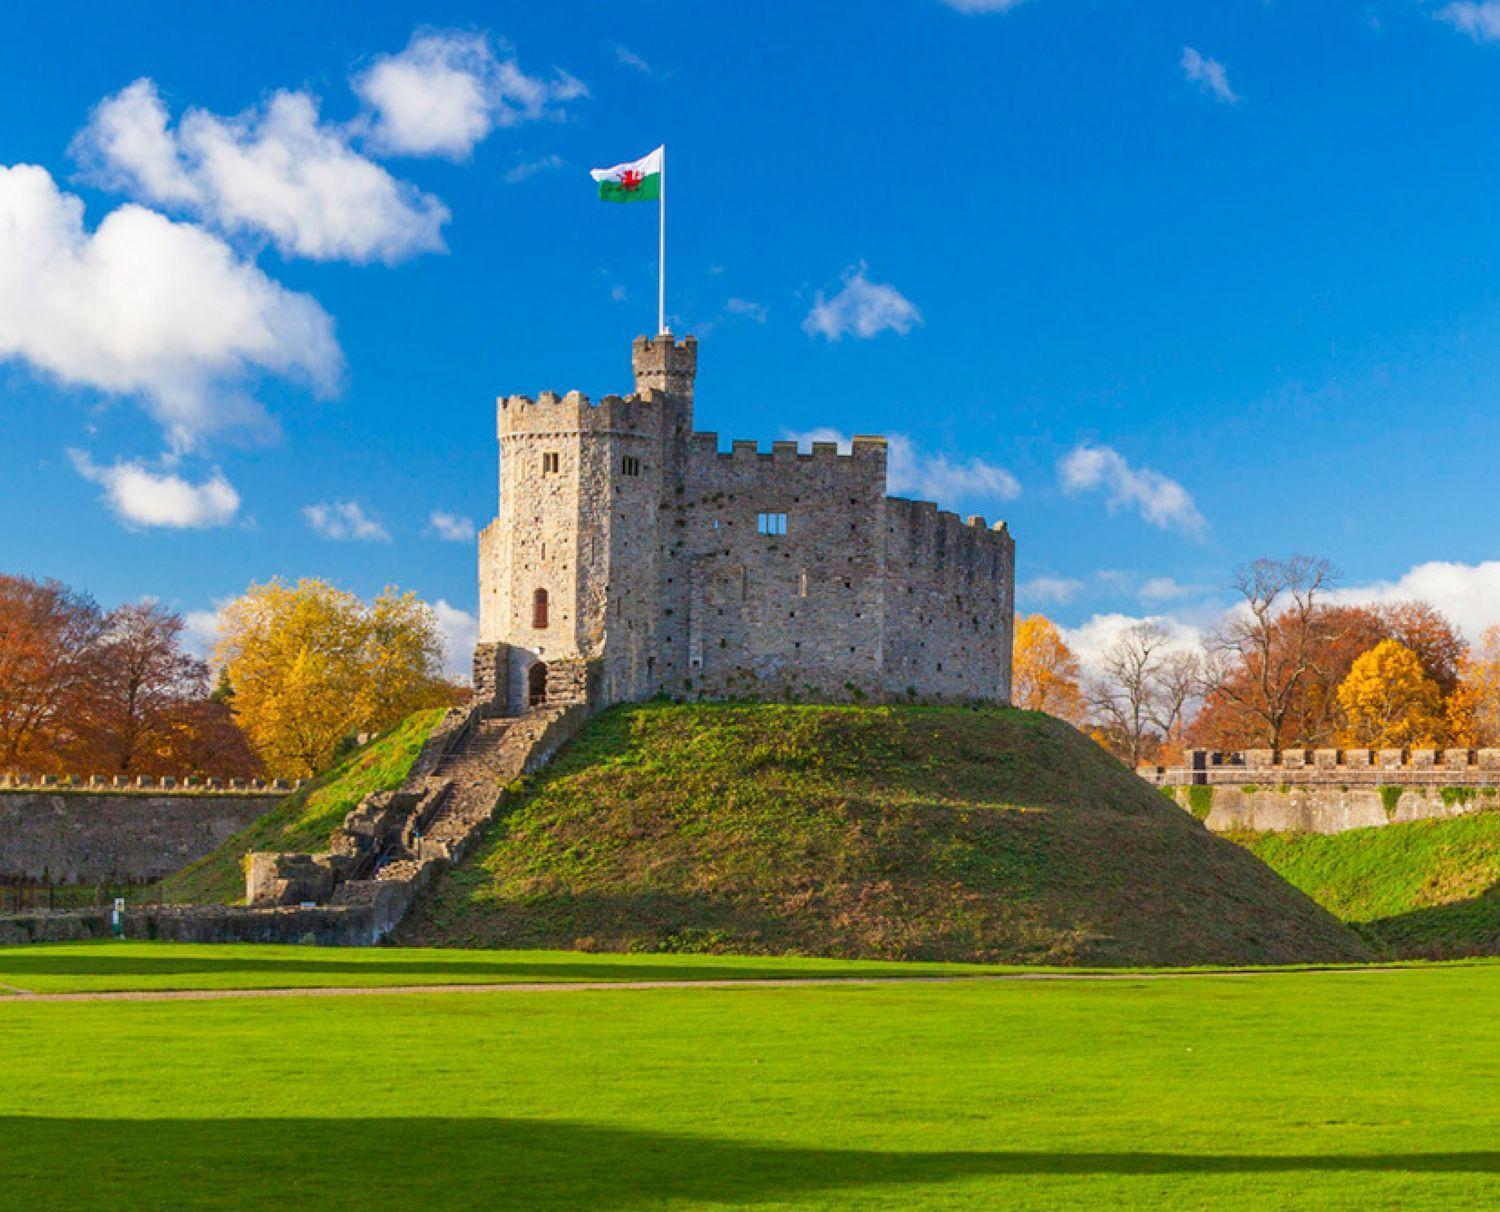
{"x": 448, "y": 91}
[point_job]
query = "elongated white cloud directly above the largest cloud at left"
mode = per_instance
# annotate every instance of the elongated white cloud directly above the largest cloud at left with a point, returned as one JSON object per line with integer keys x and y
{"x": 275, "y": 170}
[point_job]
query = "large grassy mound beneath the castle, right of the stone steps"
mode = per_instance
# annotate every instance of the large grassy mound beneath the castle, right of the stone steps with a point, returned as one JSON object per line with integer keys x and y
{"x": 868, "y": 833}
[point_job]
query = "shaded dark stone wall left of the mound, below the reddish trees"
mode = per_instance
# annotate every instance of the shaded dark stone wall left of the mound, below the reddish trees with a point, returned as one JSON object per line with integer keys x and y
{"x": 127, "y": 838}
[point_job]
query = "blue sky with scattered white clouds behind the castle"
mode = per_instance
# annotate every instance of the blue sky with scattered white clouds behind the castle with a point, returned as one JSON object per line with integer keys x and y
{"x": 1166, "y": 286}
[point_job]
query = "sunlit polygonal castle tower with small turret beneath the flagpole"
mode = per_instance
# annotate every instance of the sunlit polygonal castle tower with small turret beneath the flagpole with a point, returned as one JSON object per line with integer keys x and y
{"x": 571, "y": 568}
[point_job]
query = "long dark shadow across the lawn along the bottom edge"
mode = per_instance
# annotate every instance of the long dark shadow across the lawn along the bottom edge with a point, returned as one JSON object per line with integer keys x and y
{"x": 337, "y": 1163}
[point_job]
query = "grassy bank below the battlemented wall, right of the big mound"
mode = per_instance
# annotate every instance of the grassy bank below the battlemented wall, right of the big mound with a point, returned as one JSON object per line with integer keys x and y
{"x": 1418, "y": 890}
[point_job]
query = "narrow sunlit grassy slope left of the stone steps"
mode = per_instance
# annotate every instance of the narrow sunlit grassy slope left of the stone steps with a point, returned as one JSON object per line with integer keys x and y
{"x": 305, "y": 820}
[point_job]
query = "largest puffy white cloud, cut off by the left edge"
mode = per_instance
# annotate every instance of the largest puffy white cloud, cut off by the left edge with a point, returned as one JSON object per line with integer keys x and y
{"x": 151, "y": 308}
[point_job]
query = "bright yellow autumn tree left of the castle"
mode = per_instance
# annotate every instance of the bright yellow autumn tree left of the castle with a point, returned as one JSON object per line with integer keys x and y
{"x": 311, "y": 665}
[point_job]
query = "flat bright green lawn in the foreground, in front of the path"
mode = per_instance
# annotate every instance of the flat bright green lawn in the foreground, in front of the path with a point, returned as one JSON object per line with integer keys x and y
{"x": 1306, "y": 1090}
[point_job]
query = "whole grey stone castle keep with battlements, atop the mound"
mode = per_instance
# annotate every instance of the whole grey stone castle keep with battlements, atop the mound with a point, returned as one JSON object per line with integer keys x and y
{"x": 634, "y": 557}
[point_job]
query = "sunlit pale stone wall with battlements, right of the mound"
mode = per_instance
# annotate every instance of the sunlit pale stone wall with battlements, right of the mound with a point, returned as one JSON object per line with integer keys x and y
{"x": 1330, "y": 791}
